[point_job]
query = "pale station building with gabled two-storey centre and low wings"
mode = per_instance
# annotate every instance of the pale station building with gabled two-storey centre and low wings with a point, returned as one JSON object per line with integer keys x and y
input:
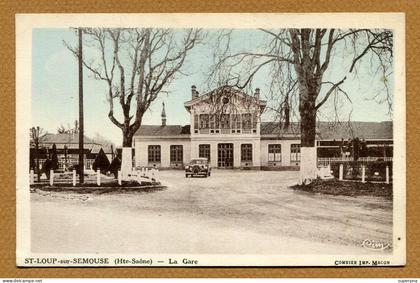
{"x": 226, "y": 128}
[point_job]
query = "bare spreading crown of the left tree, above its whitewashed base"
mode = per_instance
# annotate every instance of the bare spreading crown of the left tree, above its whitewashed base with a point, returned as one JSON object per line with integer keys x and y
{"x": 137, "y": 64}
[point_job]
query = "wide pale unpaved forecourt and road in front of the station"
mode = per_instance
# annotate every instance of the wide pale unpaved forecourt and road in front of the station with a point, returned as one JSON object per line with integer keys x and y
{"x": 231, "y": 212}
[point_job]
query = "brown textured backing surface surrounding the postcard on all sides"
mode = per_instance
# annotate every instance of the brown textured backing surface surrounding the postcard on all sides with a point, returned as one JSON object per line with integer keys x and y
{"x": 7, "y": 130}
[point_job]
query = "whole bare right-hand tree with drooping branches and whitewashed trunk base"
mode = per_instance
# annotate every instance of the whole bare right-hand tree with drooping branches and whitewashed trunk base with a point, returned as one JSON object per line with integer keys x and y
{"x": 299, "y": 59}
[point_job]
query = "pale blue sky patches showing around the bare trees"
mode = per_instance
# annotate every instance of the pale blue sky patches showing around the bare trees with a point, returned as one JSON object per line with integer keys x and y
{"x": 55, "y": 87}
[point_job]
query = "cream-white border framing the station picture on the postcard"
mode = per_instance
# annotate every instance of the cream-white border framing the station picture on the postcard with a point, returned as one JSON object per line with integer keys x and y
{"x": 26, "y": 22}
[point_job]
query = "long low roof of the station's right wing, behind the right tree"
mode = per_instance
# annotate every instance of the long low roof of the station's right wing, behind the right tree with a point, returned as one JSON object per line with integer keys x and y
{"x": 329, "y": 131}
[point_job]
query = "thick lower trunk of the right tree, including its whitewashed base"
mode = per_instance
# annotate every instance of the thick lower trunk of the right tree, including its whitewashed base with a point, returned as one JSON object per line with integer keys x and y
{"x": 308, "y": 162}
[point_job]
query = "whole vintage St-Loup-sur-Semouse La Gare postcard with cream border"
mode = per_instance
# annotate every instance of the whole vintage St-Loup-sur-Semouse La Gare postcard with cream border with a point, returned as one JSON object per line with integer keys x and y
{"x": 187, "y": 140}
